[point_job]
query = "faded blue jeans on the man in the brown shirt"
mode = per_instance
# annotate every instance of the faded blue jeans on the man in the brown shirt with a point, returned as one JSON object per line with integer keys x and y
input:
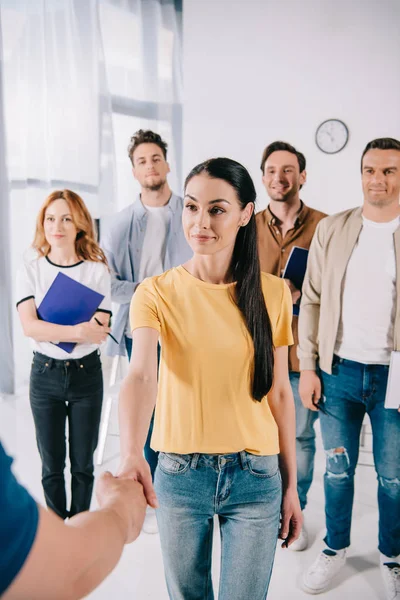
{"x": 305, "y": 441}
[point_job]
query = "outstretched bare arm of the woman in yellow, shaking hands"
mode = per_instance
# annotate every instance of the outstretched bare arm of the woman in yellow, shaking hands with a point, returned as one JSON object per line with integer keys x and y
{"x": 136, "y": 404}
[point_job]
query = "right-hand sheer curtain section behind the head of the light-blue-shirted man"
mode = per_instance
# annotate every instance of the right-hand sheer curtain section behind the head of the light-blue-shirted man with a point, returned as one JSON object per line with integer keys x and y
{"x": 142, "y": 44}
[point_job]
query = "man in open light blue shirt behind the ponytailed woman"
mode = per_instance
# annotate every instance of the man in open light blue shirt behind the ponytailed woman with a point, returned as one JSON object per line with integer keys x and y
{"x": 143, "y": 240}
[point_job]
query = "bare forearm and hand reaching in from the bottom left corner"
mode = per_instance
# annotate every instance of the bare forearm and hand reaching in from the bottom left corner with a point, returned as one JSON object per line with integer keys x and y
{"x": 67, "y": 561}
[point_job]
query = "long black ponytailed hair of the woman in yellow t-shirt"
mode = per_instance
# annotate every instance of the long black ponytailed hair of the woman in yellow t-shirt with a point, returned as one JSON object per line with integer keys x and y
{"x": 245, "y": 271}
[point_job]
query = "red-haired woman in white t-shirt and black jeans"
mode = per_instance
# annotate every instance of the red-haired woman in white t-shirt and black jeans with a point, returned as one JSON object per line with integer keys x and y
{"x": 62, "y": 385}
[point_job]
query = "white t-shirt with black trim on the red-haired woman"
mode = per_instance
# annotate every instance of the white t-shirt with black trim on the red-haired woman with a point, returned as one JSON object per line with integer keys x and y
{"x": 36, "y": 276}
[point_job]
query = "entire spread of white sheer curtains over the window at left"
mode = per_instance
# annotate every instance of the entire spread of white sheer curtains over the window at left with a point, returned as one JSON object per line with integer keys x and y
{"x": 79, "y": 78}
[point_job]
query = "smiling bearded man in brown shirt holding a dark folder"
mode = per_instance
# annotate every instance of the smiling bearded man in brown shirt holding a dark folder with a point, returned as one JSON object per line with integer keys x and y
{"x": 288, "y": 222}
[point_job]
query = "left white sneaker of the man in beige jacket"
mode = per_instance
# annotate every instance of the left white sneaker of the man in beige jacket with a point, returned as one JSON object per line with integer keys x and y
{"x": 323, "y": 570}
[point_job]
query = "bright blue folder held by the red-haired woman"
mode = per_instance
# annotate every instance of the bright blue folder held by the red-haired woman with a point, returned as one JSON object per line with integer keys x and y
{"x": 68, "y": 302}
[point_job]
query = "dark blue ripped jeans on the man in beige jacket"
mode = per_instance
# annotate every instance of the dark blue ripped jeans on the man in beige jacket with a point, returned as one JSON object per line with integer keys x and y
{"x": 352, "y": 390}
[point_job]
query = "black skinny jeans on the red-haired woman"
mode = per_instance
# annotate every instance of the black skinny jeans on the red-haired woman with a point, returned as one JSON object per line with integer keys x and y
{"x": 73, "y": 390}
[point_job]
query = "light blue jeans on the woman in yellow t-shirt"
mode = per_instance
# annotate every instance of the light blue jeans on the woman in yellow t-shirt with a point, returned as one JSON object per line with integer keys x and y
{"x": 245, "y": 491}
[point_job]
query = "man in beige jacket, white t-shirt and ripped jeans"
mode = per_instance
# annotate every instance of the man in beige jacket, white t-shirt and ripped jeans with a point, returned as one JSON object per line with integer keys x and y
{"x": 348, "y": 327}
